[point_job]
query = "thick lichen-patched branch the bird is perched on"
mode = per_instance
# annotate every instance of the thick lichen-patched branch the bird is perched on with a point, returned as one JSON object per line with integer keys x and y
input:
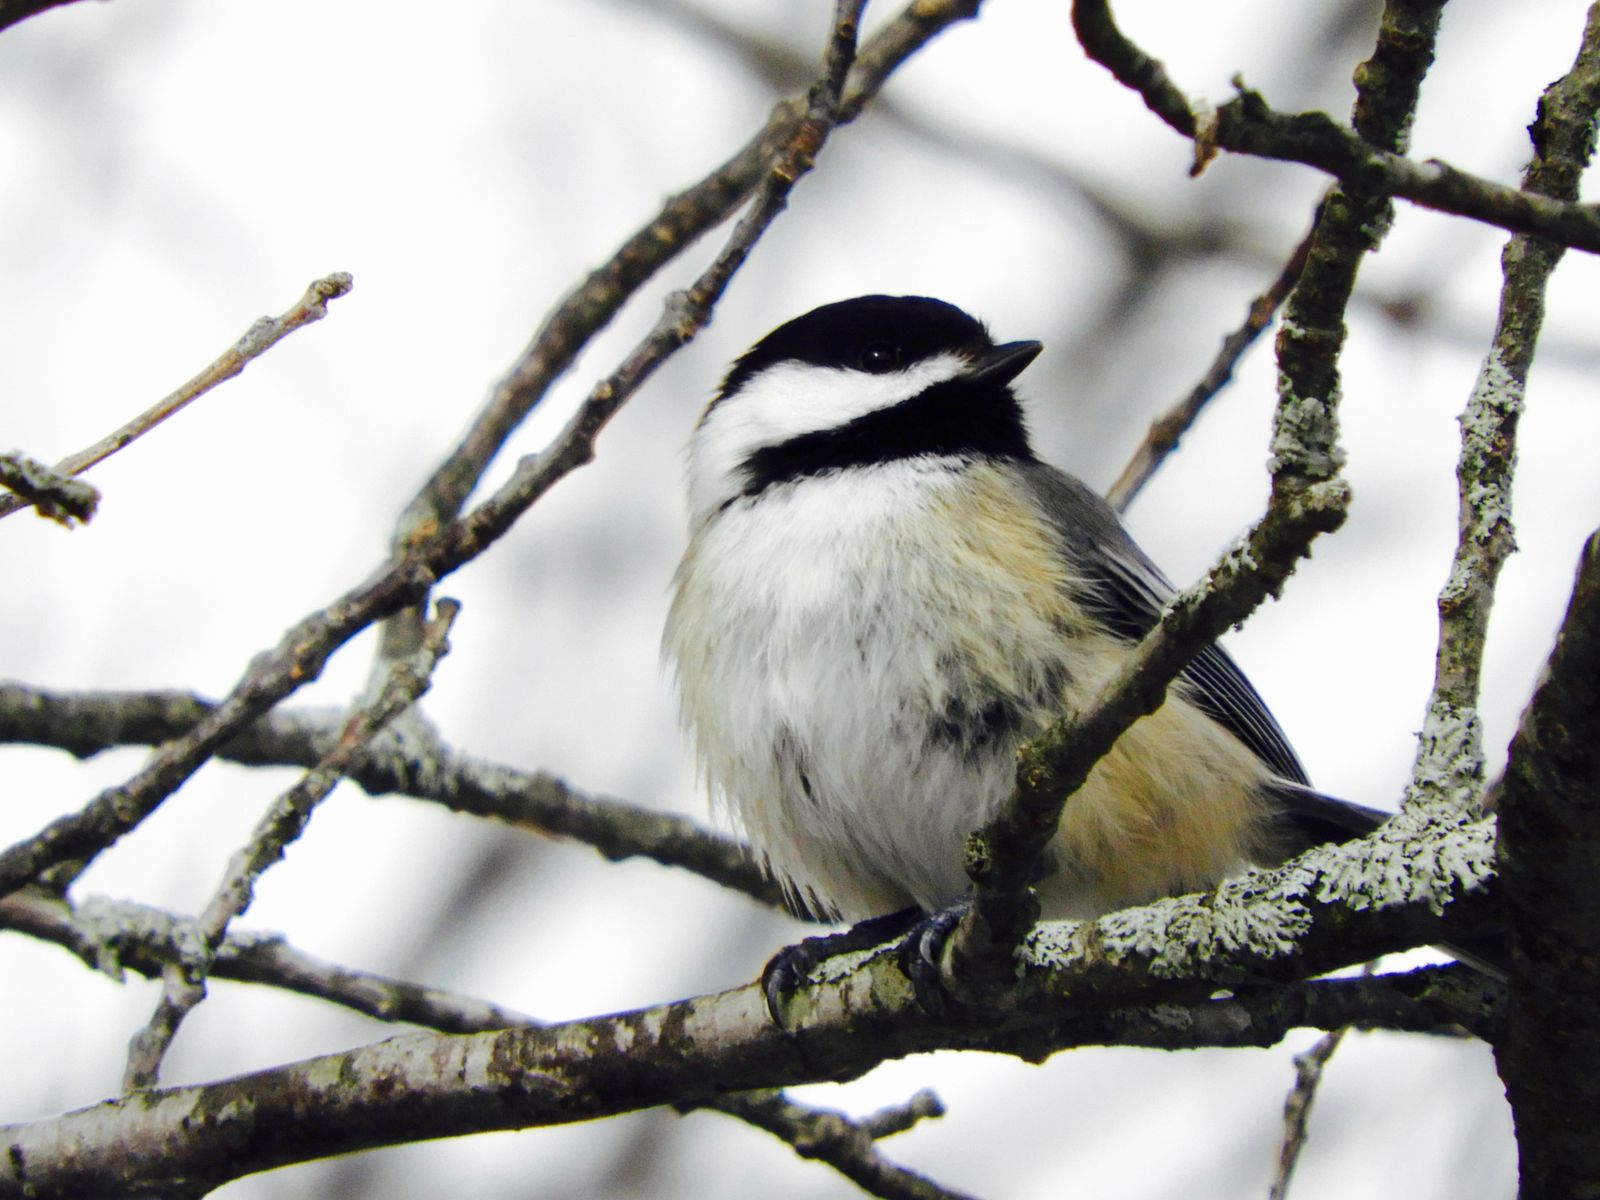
{"x": 1079, "y": 983}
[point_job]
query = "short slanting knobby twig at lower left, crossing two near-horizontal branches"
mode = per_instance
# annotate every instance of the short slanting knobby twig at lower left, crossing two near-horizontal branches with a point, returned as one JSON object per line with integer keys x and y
{"x": 183, "y": 983}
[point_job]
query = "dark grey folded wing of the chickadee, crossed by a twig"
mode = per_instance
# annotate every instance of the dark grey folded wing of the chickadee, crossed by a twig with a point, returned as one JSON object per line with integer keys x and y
{"x": 1127, "y": 593}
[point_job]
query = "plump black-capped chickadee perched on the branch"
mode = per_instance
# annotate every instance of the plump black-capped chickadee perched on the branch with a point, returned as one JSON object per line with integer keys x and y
{"x": 886, "y": 594}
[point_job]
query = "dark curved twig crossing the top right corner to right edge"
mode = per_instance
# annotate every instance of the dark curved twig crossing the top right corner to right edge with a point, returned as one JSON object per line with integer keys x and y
{"x": 1247, "y": 126}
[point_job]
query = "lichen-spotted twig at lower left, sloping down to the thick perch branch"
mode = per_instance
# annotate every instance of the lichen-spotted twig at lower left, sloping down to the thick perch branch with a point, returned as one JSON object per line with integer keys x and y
{"x": 116, "y": 935}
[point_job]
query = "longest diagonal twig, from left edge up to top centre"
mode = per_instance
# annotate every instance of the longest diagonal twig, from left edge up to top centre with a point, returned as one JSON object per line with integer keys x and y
{"x": 434, "y": 553}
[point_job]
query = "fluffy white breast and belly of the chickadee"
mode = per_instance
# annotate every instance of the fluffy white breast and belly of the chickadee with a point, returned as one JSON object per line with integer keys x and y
{"x": 833, "y": 636}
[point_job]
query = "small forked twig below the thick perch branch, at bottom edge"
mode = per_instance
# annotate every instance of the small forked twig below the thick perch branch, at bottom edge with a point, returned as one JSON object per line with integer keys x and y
{"x": 842, "y": 1143}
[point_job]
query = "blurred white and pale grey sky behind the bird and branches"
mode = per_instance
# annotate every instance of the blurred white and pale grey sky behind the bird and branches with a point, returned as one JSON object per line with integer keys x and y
{"x": 177, "y": 169}
